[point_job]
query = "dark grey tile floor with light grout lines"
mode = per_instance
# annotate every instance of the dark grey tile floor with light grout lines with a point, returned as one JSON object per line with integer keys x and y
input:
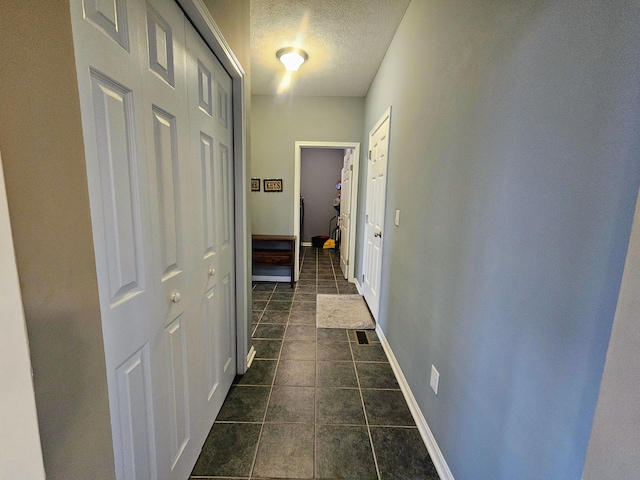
{"x": 315, "y": 403}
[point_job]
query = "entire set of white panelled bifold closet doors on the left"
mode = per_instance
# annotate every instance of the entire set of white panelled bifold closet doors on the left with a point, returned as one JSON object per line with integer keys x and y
{"x": 156, "y": 113}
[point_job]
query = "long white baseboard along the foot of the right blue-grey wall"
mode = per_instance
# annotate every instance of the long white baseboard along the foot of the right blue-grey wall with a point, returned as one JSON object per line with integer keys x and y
{"x": 425, "y": 432}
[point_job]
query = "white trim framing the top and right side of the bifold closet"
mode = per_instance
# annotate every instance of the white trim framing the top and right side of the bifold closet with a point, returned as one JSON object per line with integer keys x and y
{"x": 202, "y": 20}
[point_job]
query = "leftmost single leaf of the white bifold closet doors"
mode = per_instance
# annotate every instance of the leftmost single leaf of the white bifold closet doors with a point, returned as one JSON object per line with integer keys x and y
{"x": 113, "y": 115}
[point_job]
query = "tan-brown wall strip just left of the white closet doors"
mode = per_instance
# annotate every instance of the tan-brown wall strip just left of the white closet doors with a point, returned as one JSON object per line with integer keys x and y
{"x": 44, "y": 167}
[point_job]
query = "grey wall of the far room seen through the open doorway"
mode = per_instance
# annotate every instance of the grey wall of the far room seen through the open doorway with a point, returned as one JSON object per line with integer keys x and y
{"x": 320, "y": 170}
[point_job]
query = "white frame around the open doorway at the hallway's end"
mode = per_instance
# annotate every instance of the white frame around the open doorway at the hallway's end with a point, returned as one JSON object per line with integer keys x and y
{"x": 354, "y": 198}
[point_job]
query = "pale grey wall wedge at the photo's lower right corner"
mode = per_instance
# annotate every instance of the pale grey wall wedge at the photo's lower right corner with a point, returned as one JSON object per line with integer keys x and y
{"x": 615, "y": 437}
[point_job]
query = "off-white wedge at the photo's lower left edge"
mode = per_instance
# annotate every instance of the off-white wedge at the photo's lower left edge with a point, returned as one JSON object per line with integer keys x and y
{"x": 21, "y": 451}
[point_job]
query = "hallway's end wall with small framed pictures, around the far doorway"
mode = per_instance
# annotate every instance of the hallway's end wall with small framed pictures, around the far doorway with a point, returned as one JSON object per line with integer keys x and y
{"x": 277, "y": 122}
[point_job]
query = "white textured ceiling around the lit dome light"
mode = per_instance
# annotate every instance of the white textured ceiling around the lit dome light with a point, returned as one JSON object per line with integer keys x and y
{"x": 346, "y": 40}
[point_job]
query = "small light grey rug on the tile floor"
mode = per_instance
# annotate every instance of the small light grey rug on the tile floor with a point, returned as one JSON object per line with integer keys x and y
{"x": 343, "y": 311}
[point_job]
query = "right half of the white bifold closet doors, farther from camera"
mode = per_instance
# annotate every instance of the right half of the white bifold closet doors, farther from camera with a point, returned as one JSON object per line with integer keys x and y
{"x": 212, "y": 152}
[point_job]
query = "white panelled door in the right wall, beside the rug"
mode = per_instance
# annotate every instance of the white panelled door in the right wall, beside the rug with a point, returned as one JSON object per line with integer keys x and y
{"x": 374, "y": 213}
